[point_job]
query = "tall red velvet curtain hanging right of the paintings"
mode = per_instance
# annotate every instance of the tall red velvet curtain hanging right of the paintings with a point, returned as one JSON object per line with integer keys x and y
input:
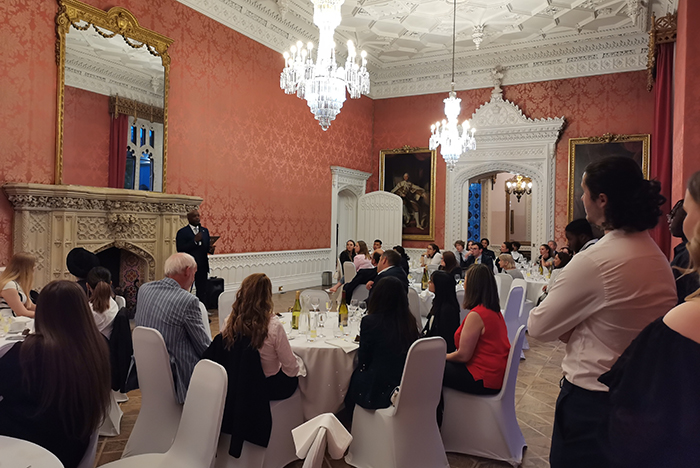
{"x": 662, "y": 139}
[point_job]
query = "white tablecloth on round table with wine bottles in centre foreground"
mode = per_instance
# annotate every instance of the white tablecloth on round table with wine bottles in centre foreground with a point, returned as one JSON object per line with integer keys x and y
{"x": 329, "y": 369}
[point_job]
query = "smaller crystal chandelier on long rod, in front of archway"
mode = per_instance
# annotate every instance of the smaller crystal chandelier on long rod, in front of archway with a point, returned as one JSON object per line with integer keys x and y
{"x": 453, "y": 138}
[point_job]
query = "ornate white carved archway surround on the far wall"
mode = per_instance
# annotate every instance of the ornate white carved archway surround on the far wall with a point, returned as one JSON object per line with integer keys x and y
{"x": 506, "y": 141}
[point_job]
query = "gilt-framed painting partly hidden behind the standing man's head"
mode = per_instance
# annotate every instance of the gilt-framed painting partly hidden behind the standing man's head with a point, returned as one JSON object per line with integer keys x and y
{"x": 583, "y": 151}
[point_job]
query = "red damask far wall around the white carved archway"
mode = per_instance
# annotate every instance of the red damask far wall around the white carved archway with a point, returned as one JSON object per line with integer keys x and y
{"x": 592, "y": 106}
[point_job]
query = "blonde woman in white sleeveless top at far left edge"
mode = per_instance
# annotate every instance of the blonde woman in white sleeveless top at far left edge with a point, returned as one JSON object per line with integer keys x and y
{"x": 15, "y": 282}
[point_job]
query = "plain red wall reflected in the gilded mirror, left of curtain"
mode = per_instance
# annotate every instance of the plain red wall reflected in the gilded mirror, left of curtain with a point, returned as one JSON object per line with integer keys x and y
{"x": 86, "y": 138}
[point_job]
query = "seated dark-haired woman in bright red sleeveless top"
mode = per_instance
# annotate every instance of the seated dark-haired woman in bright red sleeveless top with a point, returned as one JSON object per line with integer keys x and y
{"x": 479, "y": 363}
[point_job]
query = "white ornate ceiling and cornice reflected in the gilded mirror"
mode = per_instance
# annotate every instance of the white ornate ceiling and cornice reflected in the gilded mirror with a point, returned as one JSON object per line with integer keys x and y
{"x": 109, "y": 66}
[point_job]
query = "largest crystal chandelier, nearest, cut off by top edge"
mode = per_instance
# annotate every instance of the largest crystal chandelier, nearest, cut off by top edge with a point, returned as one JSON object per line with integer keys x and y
{"x": 323, "y": 83}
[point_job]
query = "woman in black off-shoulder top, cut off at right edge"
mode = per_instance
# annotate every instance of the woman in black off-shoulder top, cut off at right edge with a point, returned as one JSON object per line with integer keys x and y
{"x": 654, "y": 410}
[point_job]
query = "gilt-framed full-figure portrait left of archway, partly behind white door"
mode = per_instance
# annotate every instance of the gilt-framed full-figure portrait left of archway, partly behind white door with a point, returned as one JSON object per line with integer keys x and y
{"x": 410, "y": 173}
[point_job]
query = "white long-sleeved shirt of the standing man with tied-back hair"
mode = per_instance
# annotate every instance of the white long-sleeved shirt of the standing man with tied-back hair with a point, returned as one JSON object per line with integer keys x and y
{"x": 605, "y": 296}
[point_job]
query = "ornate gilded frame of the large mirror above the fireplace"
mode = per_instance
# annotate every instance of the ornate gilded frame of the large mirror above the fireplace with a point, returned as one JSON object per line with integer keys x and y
{"x": 116, "y": 20}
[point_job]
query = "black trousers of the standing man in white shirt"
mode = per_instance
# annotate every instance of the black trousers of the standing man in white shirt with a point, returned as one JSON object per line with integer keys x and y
{"x": 579, "y": 421}
